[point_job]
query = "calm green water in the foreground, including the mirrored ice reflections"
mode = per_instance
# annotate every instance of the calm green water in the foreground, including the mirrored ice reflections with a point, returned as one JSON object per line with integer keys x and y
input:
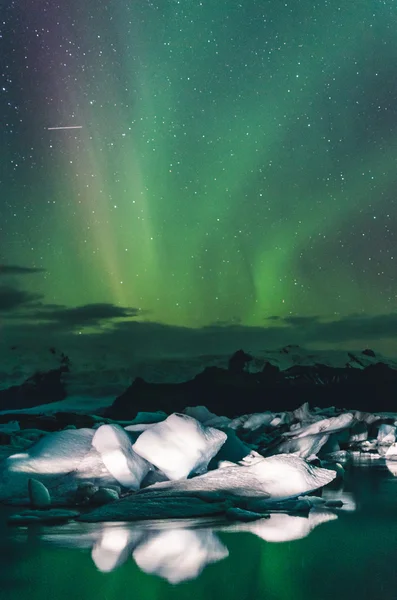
{"x": 351, "y": 556}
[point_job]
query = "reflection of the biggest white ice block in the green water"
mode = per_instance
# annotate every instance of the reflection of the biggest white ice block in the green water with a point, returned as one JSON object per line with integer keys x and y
{"x": 180, "y": 554}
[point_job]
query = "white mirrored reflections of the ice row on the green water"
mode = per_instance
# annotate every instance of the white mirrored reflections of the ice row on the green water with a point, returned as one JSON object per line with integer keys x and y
{"x": 172, "y": 552}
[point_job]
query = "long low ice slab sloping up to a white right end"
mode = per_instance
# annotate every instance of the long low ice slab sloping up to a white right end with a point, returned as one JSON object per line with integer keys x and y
{"x": 255, "y": 478}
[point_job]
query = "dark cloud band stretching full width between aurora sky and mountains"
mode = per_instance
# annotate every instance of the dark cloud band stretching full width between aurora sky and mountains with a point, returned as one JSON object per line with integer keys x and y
{"x": 118, "y": 329}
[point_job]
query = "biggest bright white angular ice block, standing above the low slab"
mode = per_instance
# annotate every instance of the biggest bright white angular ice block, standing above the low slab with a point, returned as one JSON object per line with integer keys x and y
{"x": 180, "y": 445}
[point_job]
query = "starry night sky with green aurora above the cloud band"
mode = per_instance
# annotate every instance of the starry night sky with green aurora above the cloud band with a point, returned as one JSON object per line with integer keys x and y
{"x": 231, "y": 164}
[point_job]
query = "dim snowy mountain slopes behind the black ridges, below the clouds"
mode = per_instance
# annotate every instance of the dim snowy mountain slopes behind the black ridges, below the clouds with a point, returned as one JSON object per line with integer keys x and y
{"x": 109, "y": 374}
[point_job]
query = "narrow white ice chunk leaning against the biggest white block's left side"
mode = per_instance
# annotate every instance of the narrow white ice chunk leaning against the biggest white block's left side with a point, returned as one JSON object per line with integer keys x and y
{"x": 114, "y": 446}
